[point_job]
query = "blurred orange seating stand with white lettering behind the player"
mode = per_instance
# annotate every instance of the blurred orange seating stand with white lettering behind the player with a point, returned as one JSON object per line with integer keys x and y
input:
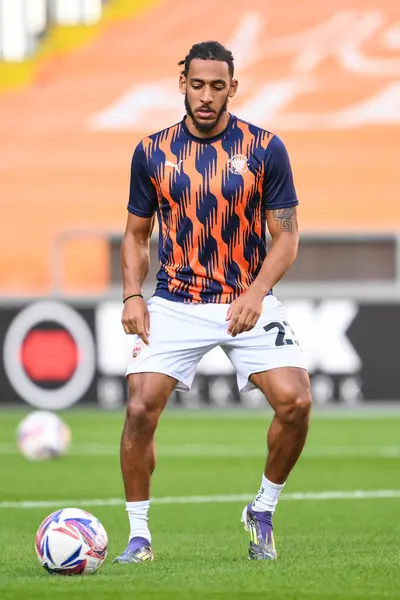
{"x": 323, "y": 75}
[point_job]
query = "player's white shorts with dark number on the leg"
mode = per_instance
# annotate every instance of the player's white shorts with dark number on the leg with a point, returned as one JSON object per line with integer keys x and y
{"x": 180, "y": 335}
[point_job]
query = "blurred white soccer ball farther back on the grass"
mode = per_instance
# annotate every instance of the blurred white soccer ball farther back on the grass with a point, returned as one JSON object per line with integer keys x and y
{"x": 43, "y": 435}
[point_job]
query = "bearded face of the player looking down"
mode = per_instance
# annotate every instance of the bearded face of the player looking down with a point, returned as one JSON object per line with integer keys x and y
{"x": 207, "y": 90}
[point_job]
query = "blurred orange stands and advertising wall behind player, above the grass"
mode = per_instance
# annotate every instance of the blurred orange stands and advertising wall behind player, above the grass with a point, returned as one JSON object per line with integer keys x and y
{"x": 91, "y": 81}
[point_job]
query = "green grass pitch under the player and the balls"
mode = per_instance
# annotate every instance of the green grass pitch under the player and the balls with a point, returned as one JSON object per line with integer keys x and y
{"x": 328, "y": 548}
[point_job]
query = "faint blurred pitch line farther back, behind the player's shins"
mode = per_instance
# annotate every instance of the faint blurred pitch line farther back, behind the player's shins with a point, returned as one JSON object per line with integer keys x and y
{"x": 228, "y": 451}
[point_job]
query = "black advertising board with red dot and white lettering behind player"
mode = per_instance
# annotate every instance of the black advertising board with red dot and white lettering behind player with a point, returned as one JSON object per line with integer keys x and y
{"x": 55, "y": 354}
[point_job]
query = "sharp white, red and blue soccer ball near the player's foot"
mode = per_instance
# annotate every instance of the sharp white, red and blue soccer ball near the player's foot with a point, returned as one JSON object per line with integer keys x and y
{"x": 71, "y": 542}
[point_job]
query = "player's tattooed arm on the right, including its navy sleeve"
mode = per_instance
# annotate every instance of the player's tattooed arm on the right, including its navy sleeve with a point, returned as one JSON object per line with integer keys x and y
{"x": 281, "y": 202}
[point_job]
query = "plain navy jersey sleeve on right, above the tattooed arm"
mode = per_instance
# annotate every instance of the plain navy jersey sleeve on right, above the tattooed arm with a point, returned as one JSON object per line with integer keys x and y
{"x": 278, "y": 188}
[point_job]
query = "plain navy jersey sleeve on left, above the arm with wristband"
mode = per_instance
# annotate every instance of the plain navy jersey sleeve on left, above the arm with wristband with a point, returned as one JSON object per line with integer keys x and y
{"x": 142, "y": 193}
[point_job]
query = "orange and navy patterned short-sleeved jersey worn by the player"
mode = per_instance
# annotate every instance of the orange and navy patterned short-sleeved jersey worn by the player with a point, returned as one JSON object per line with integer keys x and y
{"x": 211, "y": 197}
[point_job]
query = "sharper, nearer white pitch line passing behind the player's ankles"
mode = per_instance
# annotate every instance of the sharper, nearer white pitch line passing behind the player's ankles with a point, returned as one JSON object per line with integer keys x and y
{"x": 329, "y": 495}
